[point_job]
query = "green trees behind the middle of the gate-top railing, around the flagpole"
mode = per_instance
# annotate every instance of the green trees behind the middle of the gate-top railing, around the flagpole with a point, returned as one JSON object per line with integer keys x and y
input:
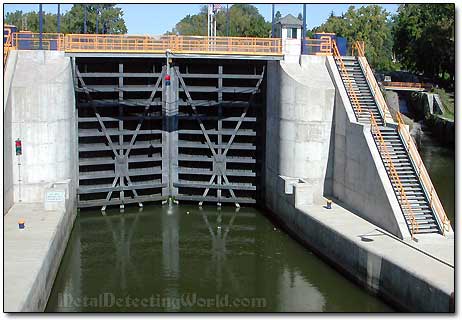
{"x": 244, "y": 21}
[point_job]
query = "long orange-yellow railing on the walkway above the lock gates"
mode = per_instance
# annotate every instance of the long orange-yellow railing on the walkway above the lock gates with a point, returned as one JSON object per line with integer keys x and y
{"x": 177, "y": 44}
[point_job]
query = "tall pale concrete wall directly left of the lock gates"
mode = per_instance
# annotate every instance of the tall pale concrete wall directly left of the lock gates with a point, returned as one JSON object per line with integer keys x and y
{"x": 43, "y": 117}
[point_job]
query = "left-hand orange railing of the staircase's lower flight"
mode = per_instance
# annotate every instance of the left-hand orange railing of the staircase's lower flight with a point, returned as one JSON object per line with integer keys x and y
{"x": 383, "y": 149}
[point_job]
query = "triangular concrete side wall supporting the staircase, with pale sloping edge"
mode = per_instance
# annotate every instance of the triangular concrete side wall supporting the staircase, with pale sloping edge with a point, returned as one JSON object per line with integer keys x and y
{"x": 360, "y": 179}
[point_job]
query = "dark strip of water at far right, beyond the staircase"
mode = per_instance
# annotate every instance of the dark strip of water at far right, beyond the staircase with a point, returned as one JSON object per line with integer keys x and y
{"x": 440, "y": 163}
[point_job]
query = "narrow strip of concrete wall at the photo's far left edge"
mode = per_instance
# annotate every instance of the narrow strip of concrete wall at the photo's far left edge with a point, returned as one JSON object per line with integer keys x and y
{"x": 8, "y": 150}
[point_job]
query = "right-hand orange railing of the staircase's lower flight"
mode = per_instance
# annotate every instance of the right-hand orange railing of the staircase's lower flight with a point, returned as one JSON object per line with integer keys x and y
{"x": 422, "y": 173}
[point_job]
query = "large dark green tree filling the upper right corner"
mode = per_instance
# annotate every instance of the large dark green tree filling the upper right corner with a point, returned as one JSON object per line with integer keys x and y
{"x": 424, "y": 38}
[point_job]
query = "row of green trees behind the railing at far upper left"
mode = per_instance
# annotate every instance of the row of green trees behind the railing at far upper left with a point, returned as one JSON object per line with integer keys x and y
{"x": 72, "y": 21}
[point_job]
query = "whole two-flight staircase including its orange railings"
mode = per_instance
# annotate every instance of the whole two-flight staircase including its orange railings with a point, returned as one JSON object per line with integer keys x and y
{"x": 414, "y": 200}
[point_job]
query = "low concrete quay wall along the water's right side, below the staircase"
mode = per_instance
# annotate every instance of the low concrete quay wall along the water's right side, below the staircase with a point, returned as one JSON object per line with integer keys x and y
{"x": 407, "y": 278}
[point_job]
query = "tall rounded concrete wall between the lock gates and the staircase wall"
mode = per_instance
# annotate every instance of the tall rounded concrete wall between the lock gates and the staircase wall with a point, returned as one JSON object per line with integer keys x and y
{"x": 299, "y": 120}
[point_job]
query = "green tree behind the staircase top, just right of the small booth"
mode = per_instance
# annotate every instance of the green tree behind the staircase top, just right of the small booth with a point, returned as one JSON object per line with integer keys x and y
{"x": 371, "y": 24}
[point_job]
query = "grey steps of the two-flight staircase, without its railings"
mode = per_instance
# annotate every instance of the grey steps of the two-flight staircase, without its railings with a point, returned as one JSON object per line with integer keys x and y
{"x": 416, "y": 196}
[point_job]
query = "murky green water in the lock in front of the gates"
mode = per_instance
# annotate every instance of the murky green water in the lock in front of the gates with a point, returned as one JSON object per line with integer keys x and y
{"x": 175, "y": 258}
